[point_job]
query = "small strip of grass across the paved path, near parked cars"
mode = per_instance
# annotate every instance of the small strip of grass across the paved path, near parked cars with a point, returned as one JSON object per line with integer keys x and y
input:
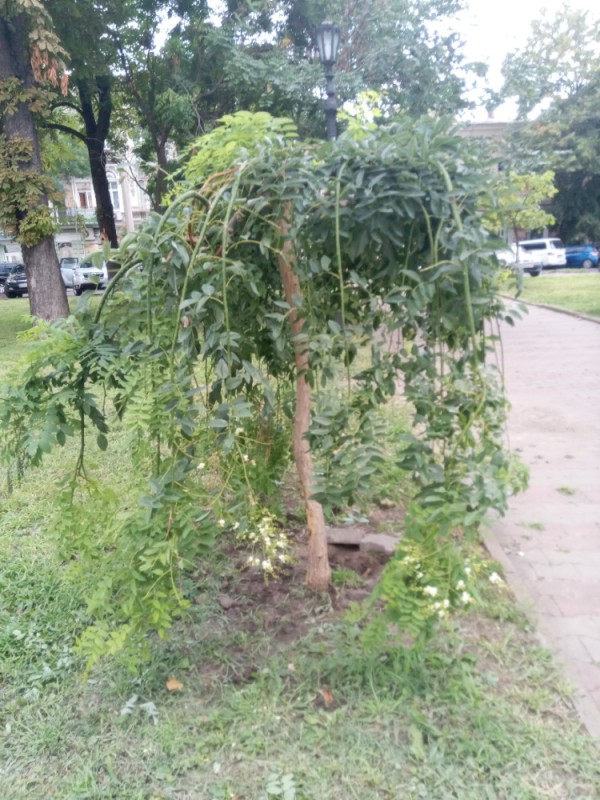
{"x": 573, "y": 291}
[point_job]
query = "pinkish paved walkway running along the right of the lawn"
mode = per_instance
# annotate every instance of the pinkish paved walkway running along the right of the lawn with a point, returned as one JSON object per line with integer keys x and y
{"x": 549, "y": 542}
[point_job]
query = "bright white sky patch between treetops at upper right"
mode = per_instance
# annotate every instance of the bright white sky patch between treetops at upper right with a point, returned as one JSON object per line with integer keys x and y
{"x": 493, "y": 28}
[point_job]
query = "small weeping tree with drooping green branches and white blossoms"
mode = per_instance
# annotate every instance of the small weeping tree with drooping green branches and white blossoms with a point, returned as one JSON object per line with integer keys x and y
{"x": 274, "y": 265}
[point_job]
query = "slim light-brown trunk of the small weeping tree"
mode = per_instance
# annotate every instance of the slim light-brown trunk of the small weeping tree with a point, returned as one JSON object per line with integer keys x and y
{"x": 318, "y": 572}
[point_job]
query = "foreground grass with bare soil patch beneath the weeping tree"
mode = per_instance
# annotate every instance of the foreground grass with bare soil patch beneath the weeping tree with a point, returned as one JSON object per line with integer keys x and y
{"x": 263, "y": 691}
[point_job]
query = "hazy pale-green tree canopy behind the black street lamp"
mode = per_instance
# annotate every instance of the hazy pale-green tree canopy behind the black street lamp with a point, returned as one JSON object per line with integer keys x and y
{"x": 409, "y": 52}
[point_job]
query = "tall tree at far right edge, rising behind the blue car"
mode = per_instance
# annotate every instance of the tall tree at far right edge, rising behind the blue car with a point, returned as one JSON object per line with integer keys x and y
{"x": 557, "y": 75}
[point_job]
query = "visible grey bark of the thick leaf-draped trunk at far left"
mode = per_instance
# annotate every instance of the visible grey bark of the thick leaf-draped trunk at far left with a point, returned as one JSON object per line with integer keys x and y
{"x": 46, "y": 290}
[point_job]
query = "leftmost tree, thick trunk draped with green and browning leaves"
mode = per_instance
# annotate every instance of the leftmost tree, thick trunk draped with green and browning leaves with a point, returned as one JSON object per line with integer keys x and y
{"x": 29, "y": 53}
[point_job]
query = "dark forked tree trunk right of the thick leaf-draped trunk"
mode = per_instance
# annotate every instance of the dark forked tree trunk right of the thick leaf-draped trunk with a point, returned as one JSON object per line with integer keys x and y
{"x": 96, "y": 131}
